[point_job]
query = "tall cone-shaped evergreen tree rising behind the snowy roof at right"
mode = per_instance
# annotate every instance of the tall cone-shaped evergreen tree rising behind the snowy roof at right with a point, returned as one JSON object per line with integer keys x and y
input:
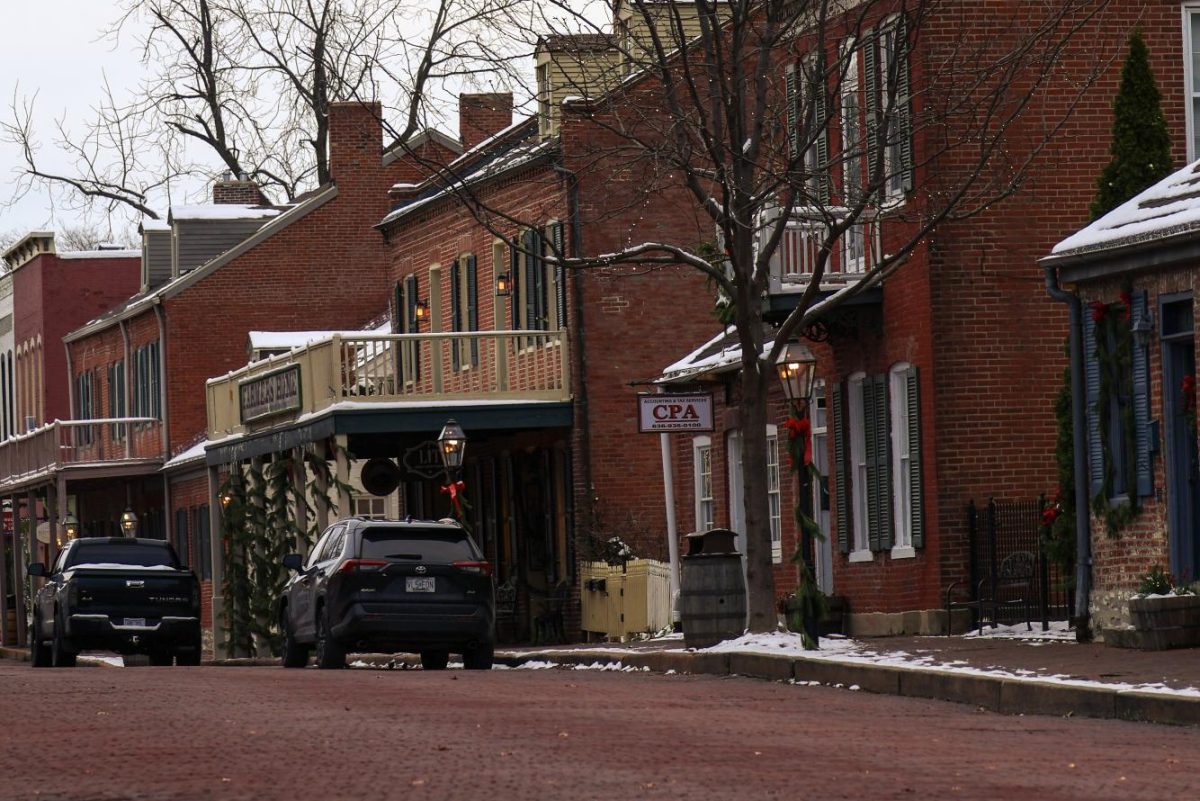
{"x": 1142, "y": 147}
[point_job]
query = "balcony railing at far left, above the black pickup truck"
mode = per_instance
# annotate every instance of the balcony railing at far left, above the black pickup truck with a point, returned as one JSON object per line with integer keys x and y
{"x": 80, "y": 442}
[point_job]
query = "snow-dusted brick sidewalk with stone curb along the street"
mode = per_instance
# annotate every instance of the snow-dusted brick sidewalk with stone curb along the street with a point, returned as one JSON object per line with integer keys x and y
{"x": 1010, "y": 672}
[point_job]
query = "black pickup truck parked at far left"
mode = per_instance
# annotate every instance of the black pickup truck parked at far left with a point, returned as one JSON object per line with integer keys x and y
{"x": 116, "y": 594}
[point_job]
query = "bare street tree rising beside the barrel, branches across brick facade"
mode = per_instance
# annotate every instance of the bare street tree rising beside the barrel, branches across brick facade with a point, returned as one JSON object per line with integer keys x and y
{"x": 767, "y": 119}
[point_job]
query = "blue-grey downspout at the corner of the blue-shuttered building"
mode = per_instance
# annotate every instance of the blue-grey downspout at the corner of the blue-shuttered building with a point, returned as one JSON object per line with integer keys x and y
{"x": 1079, "y": 443}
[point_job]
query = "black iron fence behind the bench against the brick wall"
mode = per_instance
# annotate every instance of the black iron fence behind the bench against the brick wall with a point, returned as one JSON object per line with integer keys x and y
{"x": 1005, "y": 528}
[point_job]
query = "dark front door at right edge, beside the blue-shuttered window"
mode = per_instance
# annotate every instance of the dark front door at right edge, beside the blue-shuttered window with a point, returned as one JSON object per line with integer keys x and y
{"x": 1183, "y": 463}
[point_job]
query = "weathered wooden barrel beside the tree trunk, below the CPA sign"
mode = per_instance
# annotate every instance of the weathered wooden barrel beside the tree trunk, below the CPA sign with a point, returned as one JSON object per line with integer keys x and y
{"x": 712, "y": 599}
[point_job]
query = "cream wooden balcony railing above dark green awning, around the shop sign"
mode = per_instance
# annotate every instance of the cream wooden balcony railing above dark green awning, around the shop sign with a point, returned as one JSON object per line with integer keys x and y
{"x": 397, "y": 368}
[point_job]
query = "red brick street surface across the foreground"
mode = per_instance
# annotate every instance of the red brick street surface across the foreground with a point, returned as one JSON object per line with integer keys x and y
{"x": 95, "y": 734}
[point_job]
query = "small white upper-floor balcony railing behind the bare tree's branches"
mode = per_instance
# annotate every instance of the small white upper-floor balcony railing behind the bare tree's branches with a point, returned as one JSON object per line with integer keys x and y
{"x": 800, "y": 249}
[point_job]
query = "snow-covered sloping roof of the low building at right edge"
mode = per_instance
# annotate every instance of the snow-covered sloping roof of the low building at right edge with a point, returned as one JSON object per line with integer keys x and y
{"x": 1169, "y": 208}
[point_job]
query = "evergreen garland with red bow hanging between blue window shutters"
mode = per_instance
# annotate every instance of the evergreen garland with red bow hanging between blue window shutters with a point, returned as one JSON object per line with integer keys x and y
{"x": 1114, "y": 352}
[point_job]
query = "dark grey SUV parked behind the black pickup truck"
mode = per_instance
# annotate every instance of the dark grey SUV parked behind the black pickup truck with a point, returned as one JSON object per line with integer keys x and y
{"x": 391, "y": 586}
